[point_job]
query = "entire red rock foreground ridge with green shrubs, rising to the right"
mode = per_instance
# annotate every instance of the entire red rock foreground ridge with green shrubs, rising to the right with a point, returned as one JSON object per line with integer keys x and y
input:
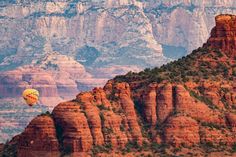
{"x": 187, "y": 107}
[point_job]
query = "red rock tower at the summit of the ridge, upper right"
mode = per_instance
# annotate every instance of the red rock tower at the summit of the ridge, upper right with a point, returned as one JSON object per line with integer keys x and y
{"x": 223, "y": 35}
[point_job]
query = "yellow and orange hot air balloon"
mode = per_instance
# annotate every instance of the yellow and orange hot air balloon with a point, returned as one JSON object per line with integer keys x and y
{"x": 31, "y": 96}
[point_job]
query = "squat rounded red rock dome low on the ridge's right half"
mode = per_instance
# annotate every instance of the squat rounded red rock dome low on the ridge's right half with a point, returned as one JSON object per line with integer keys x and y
{"x": 182, "y": 130}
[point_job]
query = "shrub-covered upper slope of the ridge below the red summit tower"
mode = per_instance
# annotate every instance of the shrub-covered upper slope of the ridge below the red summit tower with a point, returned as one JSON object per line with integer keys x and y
{"x": 201, "y": 64}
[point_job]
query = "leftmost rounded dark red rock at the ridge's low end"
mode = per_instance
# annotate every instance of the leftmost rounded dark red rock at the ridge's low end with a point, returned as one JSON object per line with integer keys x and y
{"x": 39, "y": 138}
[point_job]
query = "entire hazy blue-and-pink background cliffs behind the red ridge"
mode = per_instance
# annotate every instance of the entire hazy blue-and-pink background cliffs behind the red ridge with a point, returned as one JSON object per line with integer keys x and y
{"x": 63, "y": 47}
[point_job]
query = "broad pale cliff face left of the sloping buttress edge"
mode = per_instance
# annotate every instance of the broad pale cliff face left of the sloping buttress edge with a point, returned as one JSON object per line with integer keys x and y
{"x": 112, "y": 33}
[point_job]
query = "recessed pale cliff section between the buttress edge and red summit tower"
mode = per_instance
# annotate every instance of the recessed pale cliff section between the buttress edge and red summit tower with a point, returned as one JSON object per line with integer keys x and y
{"x": 192, "y": 29}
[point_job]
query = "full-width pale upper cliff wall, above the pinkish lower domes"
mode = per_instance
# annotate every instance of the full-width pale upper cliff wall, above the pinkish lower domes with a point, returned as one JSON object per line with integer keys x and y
{"x": 111, "y": 28}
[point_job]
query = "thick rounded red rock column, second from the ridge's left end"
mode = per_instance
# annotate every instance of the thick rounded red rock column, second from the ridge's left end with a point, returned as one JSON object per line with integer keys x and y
{"x": 73, "y": 127}
